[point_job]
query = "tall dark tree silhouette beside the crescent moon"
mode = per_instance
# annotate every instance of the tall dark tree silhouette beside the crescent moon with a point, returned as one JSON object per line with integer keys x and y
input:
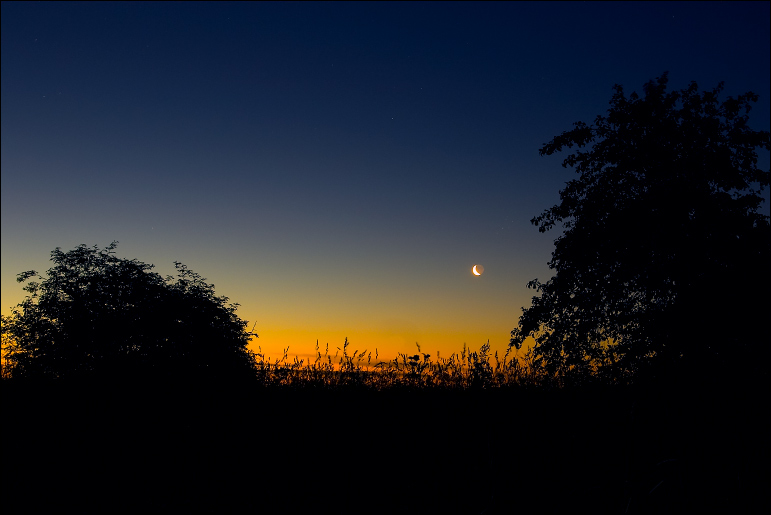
{"x": 664, "y": 259}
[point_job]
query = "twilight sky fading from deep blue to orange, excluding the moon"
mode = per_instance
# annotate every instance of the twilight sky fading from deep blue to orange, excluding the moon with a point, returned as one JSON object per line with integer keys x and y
{"x": 334, "y": 168}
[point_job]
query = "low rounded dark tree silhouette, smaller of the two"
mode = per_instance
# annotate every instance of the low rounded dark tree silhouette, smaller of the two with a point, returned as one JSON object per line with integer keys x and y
{"x": 97, "y": 314}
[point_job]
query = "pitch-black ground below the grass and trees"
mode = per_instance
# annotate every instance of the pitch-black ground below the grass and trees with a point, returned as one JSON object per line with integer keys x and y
{"x": 198, "y": 448}
